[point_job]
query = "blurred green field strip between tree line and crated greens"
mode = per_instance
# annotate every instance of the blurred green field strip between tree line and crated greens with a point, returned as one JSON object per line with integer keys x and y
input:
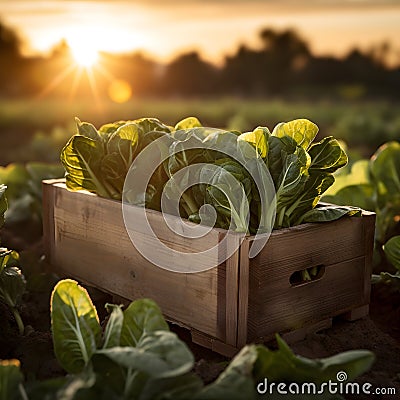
{"x": 36, "y": 130}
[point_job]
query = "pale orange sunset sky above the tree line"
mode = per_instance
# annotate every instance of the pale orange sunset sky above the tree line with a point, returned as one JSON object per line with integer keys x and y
{"x": 163, "y": 28}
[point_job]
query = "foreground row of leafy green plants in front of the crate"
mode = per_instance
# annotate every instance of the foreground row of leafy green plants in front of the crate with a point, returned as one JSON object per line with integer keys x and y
{"x": 136, "y": 356}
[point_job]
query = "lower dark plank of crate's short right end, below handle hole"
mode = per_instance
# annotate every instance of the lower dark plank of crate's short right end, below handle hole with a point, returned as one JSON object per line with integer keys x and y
{"x": 284, "y": 308}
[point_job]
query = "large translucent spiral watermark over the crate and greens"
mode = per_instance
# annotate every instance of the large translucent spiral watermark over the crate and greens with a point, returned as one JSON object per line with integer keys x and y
{"x": 186, "y": 176}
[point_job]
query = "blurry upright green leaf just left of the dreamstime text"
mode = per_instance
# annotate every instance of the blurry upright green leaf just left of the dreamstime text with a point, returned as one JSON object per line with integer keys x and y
{"x": 236, "y": 382}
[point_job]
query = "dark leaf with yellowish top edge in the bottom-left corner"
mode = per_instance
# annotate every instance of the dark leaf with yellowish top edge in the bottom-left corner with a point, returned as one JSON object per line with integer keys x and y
{"x": 11, "y": 379}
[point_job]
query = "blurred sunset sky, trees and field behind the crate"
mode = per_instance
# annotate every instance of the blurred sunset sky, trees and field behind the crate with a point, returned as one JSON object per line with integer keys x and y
{"x": 233, "y": 64}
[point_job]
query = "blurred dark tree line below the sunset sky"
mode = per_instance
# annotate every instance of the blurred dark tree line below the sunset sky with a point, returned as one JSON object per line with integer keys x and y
{"x": 282, "y": 66}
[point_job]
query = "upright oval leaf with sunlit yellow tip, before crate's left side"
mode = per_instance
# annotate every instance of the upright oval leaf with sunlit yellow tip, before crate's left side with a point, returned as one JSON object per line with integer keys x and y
{"x": 75, "y": 325}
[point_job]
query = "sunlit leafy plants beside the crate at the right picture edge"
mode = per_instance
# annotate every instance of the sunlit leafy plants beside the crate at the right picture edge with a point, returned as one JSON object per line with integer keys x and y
{"x": 374, "y": 185}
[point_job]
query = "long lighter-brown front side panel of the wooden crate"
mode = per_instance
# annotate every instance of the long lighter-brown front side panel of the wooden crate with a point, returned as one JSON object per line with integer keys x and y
{"x": 91, "y": 244}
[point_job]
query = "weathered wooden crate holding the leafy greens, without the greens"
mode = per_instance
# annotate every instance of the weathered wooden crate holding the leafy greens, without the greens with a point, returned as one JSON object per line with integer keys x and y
{"x": 241, "y": 300}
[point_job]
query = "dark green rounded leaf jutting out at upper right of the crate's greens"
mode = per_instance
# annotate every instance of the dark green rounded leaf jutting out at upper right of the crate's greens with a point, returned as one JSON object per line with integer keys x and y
{"x": 327, "y": 155}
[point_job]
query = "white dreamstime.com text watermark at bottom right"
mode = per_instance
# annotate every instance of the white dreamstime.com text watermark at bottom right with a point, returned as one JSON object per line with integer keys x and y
{"x": 339, "y": 387}
